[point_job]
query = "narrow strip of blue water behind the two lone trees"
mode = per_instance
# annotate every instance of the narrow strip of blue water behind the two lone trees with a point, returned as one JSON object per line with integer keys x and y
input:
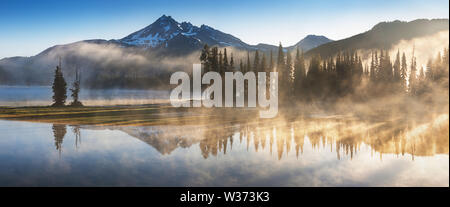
{"x": 41, "y": 96}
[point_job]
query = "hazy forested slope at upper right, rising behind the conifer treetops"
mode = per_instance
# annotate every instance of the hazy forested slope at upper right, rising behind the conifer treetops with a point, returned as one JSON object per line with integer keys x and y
{"x": 383, "y": 35}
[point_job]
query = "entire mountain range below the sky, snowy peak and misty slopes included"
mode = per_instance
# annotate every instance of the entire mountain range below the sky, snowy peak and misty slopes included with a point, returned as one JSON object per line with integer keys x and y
{"x": 147, "y": 58}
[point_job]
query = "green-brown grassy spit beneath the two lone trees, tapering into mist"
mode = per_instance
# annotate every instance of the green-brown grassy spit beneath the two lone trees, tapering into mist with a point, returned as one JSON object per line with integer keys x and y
{"x": 142, "y": 115}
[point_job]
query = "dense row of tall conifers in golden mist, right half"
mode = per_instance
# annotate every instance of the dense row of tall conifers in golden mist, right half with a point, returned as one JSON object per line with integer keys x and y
{"x": 344, "y": 74}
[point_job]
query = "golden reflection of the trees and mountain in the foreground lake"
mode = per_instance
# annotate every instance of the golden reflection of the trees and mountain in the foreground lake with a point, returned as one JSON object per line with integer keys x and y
{"x": 340, "y": 135}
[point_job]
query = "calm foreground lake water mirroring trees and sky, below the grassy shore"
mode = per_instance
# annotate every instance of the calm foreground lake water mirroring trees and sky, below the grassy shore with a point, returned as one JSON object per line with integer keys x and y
{"x": 307, "y": 152}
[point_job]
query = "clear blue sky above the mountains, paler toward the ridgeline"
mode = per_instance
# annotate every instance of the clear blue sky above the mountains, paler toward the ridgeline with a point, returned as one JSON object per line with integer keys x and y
{"x": 28, "y": 27}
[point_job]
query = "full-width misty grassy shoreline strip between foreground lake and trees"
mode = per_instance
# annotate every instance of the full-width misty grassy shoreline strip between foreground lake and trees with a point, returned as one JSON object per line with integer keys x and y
{"x": 165, "y": 114}
